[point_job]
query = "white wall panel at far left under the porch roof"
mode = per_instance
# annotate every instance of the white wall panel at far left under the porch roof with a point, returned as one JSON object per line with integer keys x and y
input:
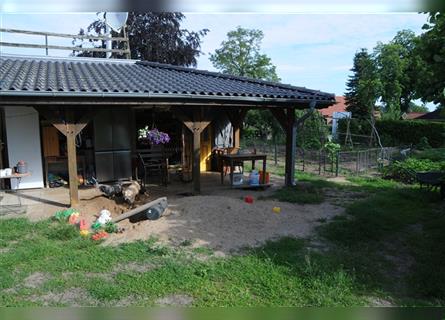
{"x": 23, "y": 143}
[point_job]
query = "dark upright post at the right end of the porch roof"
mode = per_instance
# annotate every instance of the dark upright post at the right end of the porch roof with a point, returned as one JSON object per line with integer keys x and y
{"x": 291, "y": 132}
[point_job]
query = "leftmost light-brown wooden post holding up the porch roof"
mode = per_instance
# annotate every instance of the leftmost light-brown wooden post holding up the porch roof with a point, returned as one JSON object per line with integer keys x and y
{"x": 71, "y": 132}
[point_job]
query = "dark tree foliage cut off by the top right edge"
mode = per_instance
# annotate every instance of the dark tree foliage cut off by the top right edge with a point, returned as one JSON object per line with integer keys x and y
{"x": 431, "y": 48}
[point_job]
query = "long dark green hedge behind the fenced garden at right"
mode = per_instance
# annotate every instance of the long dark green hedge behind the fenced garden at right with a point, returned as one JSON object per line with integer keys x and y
{"x": 400, "y": 132}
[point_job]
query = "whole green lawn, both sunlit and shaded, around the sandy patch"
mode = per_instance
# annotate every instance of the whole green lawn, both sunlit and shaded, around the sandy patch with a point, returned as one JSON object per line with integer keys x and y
{"x": 388, "y": 247}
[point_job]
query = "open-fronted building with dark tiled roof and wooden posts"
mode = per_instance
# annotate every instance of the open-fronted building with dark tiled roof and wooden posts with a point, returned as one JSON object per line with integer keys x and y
{"x": 83, "y": 115}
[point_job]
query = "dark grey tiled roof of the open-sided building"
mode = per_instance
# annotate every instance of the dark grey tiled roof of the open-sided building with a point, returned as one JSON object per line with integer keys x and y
{"x": 86, "y": 77}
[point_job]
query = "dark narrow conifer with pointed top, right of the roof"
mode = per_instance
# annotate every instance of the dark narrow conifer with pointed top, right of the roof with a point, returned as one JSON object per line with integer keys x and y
{"x": 363, "y": 86}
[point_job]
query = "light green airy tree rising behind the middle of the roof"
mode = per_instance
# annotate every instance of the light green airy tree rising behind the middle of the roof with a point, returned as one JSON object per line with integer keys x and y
{"x": 240, "y": 55}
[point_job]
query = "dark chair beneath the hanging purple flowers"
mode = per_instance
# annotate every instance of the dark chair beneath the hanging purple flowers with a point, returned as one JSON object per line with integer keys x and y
{"x": 154, "y": 161}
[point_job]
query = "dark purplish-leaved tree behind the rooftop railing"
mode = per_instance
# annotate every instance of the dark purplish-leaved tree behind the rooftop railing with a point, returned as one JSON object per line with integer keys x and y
{"x": 154, "y": 37}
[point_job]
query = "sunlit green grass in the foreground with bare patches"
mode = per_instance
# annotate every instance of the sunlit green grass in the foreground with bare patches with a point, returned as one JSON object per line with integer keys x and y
{"x": 280, "y": 273}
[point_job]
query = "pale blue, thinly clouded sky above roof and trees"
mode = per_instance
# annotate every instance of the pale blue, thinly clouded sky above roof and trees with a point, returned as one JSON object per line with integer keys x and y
{"x": 311, "y": 50}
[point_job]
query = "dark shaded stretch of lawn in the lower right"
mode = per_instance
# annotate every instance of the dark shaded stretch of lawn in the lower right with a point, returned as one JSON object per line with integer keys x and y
{"x": 393, "y": 240}
